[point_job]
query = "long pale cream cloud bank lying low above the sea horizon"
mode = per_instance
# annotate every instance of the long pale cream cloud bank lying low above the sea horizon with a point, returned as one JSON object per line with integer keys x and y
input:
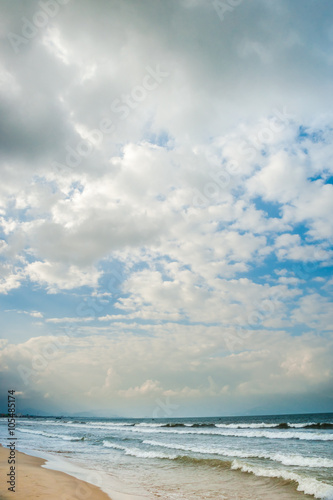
{"x": 181, "y": 362}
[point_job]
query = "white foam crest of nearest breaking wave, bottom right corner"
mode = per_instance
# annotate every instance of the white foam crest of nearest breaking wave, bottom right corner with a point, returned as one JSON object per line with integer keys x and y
{"x": 310, "y": 486}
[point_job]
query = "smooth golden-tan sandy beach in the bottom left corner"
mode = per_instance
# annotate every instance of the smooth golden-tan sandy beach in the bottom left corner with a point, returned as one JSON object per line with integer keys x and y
{"x": 35, "y": 482}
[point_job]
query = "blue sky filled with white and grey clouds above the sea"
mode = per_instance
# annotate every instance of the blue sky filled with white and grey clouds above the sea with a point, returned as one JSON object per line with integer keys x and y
{"x": 166, "y": 206}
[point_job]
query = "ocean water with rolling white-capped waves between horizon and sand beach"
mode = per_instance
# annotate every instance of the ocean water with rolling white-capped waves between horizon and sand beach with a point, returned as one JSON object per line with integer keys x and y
{"x": 239, "y": 458}
